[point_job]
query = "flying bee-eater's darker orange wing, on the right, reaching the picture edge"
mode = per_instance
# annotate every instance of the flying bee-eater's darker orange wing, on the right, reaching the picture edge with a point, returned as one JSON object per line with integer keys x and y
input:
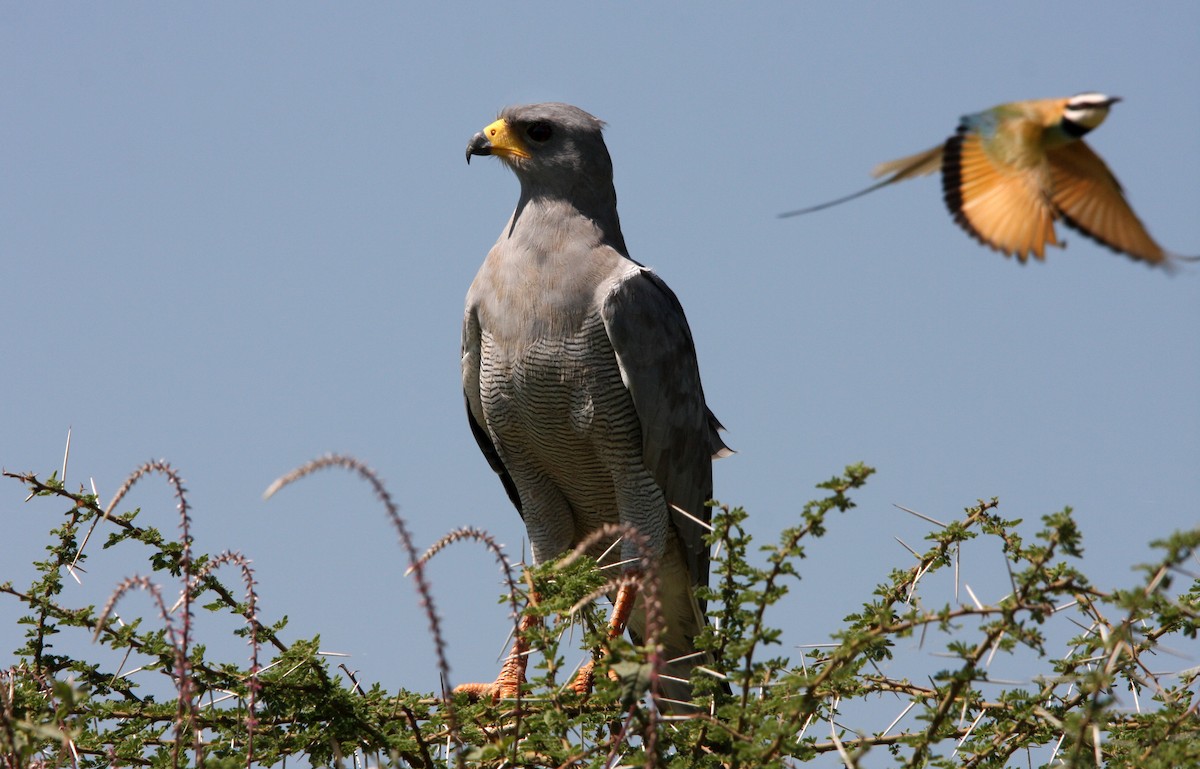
{"x": 1090, "y": 200}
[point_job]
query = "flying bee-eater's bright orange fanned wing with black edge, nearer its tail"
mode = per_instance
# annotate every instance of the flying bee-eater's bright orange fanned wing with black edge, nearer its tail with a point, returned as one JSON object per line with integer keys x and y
{"x": 1000, "y": 207}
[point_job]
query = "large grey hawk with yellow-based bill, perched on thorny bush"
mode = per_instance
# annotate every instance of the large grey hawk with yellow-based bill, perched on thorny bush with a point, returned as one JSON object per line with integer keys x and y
{"x": 581, "y": 380}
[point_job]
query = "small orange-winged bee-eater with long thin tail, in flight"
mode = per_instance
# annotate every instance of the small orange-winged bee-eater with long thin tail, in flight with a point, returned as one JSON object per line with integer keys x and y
{"x": 1010, "y": 172}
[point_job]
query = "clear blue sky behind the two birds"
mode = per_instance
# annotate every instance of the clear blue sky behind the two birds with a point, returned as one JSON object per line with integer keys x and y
{"x": 238, "y": 237}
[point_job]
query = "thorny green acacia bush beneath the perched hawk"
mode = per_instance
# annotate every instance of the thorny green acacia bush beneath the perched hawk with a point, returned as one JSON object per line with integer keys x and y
{"x": 755, "y": 706}
